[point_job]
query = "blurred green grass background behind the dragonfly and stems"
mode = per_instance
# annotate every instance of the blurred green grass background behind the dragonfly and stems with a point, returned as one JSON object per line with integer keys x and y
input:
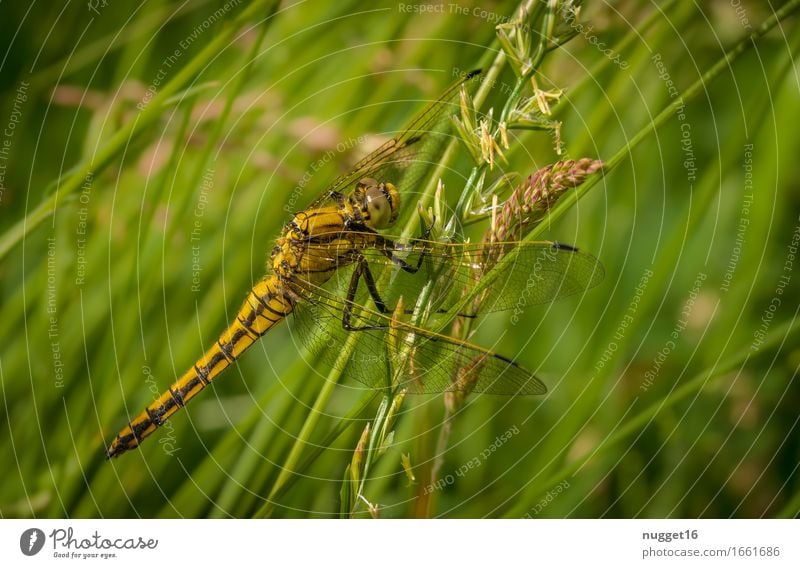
{"x": 673, "y": 385}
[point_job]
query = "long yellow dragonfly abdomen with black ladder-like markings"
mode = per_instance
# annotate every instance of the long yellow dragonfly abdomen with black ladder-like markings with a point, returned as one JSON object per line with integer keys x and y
{"x": 266, "y": 306}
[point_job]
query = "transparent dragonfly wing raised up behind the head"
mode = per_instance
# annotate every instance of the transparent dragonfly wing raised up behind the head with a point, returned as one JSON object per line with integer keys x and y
{"x": 405, "y": 158}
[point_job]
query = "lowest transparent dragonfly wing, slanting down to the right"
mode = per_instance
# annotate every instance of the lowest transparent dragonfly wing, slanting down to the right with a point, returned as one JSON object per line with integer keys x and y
{"x": 428, "y": 362}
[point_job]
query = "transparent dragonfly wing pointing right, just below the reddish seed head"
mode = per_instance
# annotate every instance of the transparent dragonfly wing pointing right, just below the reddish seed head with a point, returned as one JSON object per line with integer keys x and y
{"x": 539, "y": 273}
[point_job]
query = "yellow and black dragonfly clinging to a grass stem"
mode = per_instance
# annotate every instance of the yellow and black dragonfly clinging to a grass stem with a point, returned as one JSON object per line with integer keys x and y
{"x": 334, "y": 272}
